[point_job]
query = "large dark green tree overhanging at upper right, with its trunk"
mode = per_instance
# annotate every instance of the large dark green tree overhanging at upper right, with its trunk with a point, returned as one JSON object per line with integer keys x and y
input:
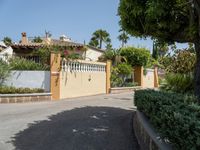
{"x": 168, "y": 20}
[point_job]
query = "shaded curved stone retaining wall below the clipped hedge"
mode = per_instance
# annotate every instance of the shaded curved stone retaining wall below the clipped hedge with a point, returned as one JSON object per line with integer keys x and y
{"x": 147, "y": 138}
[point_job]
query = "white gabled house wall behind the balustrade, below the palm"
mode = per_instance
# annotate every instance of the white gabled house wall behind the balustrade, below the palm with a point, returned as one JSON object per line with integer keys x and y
{"x": 92, "y": 54}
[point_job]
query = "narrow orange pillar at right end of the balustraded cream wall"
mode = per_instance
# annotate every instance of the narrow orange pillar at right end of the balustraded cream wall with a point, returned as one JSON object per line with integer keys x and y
{"x": 108, "y": 75}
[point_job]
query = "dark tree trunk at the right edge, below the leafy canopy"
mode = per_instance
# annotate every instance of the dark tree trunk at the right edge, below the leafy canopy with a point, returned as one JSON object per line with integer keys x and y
{"x": 197, "y": 72}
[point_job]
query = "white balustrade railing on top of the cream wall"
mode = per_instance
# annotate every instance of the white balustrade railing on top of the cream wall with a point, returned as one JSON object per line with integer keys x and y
{"x": 82, "y": 66}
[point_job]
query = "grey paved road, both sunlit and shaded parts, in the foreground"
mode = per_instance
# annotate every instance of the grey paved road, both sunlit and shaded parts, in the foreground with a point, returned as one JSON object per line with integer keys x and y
{"x": 101, "y": 122}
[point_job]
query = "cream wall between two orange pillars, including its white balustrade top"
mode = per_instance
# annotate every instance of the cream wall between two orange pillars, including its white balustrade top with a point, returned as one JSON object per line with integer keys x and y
{"x": 82, "y": 78}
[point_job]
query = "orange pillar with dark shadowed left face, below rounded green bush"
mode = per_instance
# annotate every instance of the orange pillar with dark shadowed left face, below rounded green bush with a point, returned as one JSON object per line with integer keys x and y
{"x": 138, "y": 75}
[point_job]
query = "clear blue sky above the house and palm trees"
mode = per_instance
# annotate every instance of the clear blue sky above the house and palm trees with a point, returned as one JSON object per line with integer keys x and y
{"x": 77, "y": 19}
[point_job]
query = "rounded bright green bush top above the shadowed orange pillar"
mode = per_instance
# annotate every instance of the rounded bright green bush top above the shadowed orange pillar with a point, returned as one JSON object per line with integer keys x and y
{"x": 136, "y": 56}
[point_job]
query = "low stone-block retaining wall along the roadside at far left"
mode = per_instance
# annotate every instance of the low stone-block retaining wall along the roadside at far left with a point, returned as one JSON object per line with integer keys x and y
{"x": 24, "y": 98}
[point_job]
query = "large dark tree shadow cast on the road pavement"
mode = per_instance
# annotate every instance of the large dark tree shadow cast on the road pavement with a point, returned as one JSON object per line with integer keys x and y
{"x": 88, "y": 128}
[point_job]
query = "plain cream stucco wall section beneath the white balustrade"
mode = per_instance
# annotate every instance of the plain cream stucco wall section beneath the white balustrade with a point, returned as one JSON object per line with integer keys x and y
{"x": 76, "y": 84}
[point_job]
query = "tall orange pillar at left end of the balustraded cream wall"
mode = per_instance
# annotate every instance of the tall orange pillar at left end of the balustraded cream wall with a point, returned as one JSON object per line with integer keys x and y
{"x": 55, "y": 76}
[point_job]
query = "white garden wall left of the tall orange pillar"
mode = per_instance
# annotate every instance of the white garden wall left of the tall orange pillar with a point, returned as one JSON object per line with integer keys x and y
{"x": 29, "y": 79}
